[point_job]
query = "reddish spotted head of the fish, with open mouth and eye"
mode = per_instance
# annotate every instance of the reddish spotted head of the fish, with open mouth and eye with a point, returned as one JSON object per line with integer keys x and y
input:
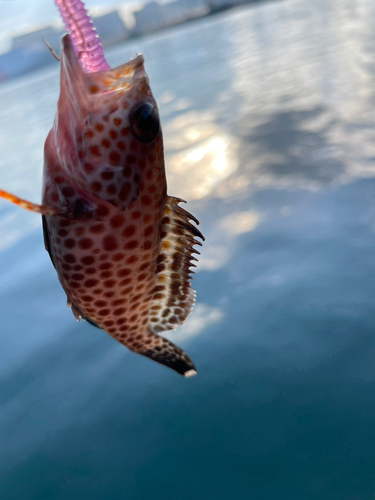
{"x": 106, "y": 133}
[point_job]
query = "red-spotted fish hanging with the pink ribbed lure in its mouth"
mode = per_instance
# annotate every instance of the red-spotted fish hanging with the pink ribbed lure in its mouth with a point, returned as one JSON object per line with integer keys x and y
{"x": 122, "y": 248}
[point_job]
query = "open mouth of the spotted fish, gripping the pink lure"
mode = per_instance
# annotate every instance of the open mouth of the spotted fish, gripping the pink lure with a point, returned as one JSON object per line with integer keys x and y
{"x": 118, "y": 79}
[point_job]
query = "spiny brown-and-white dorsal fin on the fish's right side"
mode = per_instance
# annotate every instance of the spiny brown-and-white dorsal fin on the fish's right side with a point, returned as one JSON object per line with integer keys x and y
{"x": 173, "y": 296}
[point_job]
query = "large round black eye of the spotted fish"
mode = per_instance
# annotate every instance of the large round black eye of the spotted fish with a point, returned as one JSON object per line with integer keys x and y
{"x": 144, "y": 121}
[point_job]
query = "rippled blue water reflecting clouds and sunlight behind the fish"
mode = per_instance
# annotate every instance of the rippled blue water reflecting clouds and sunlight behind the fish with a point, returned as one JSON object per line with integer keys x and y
{"x": 268, "y": 116}
